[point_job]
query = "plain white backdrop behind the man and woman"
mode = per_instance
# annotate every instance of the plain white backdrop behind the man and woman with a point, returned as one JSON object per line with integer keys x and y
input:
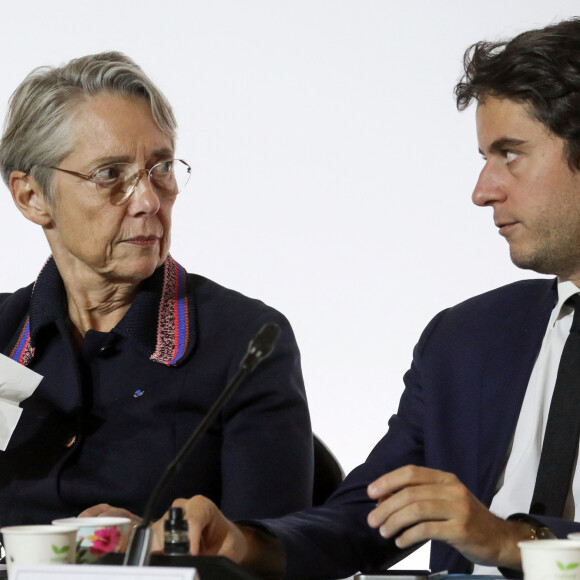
{"x": 332, "y": 173}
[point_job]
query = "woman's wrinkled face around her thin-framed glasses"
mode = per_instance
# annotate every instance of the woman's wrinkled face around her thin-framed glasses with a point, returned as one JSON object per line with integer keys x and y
{"x": 122, "y": 243}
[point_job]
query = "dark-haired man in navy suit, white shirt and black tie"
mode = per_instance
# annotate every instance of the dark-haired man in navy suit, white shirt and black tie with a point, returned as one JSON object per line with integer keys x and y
{"x": 459, "y": 462}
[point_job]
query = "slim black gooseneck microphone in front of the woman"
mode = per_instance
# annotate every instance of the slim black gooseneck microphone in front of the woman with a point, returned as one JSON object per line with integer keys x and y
{"x": 139, "y": 550}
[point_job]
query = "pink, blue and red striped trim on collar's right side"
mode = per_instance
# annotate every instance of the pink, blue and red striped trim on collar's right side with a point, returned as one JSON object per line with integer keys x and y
{"x": 173, "y": 321}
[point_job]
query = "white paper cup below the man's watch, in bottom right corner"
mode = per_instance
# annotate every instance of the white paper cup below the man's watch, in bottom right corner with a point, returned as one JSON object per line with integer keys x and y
{"x": 550, "y": 559}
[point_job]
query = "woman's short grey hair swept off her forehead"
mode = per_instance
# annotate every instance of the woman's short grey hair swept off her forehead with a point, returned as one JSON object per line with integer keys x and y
{"x": 37, "y": 129}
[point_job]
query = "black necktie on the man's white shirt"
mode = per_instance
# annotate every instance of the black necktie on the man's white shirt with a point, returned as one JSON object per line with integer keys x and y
{"x": 560, "y": 444}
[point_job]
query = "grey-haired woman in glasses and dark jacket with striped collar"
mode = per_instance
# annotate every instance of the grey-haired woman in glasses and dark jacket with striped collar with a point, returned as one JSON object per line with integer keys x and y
{"x": 132, "y": 349}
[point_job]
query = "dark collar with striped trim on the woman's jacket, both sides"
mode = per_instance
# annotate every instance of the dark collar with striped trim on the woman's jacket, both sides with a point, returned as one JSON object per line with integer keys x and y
{"x": 161, "y": 319}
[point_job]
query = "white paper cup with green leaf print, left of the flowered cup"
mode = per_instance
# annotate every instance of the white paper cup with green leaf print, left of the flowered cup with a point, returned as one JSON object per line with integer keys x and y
{"x": 39, "y": 544}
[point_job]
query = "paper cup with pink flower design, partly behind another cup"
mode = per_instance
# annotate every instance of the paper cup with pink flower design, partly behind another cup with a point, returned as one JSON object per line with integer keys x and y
{"x": 97, "y": 536}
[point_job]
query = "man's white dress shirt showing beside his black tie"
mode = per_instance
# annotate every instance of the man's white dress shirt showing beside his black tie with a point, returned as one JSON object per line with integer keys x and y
{"x": 516, "y": 484}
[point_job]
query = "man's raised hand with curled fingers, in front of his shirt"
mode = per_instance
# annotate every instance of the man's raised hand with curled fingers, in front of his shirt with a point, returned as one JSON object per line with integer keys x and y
{"x": 416, "y": 504}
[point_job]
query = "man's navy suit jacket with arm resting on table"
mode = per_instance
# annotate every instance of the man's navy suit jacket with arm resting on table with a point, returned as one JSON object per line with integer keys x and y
{"x": 458, "y": 413}
